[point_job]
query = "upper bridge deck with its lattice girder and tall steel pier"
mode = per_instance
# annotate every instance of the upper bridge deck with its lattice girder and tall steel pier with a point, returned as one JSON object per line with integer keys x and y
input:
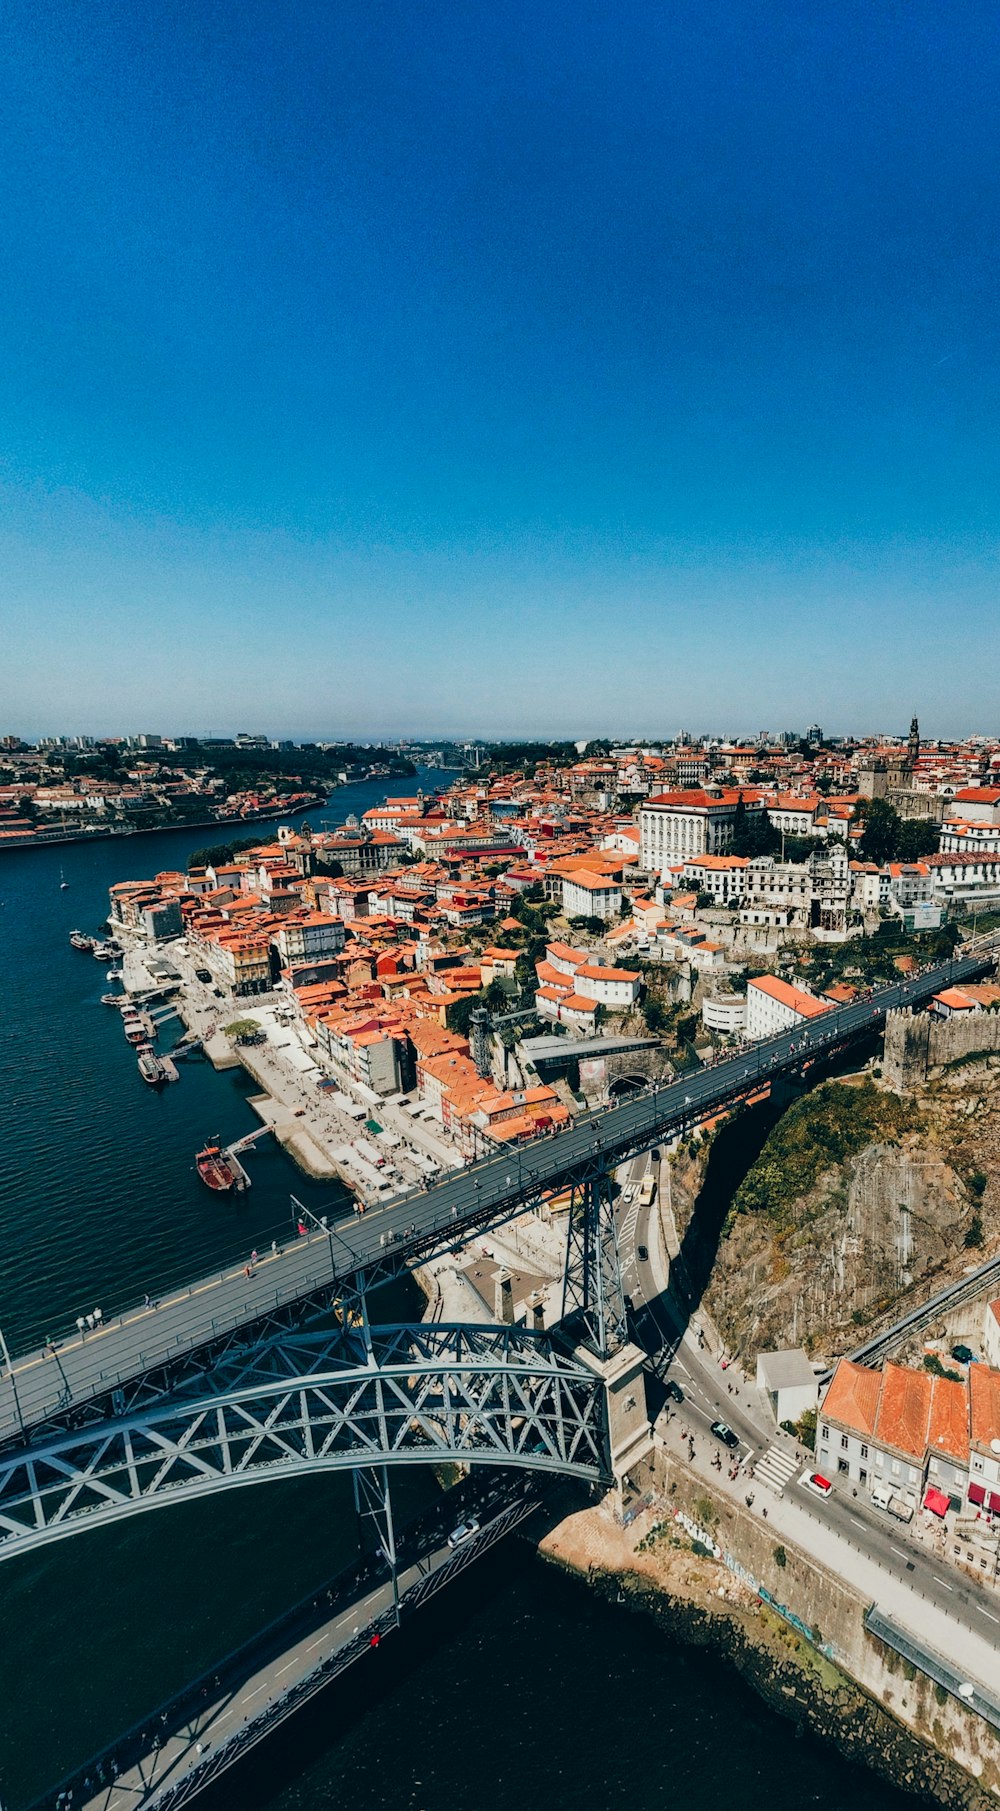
{"x": 168, "y": 1354}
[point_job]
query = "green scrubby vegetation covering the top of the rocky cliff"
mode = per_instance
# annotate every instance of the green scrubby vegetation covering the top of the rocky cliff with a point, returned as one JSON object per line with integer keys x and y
{"x": 816, "y": 1135}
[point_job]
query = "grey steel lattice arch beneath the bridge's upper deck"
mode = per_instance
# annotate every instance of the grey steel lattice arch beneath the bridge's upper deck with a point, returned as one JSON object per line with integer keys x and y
{"x": 318, "y": 1403}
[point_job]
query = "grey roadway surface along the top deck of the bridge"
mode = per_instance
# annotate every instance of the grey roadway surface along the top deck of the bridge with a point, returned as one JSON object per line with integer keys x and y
{"x": 44, "y": 1385}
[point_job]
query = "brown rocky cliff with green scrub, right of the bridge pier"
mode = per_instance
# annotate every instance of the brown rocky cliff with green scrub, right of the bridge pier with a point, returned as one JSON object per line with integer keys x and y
{"x": 910, "y": 1200}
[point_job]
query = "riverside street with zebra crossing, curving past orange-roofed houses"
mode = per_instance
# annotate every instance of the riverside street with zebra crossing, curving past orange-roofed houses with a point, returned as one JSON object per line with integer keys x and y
{"x": 841, "y": 1531}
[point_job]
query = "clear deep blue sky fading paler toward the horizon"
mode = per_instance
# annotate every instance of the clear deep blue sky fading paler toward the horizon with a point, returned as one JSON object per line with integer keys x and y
{"x": 557, "y": 369}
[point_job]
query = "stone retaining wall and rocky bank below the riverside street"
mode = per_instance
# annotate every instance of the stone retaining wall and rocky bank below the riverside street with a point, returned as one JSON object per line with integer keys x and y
{"x": 807, "y": 1653}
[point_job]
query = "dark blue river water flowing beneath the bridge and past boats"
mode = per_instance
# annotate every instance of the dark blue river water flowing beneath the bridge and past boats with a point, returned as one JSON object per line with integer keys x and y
{"x": 517, "y": 1685}
